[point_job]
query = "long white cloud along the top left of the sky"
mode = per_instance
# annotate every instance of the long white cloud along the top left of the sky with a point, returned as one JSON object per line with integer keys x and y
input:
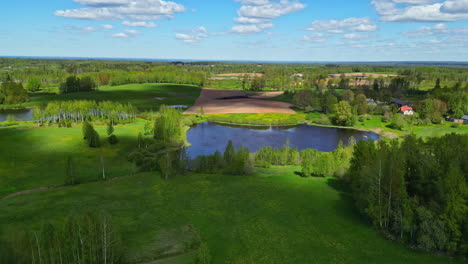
{"x": 119, "y": 9}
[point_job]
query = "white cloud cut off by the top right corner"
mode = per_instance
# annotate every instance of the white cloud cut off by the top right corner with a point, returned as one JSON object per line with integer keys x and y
{"x": 421, "y": 10}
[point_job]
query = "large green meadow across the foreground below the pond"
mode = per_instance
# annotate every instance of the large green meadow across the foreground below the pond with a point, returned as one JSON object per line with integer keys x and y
{"x": 270, "y": 217}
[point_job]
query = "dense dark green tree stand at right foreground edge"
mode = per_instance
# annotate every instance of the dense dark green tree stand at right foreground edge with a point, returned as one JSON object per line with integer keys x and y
{"x": 415, "y": 190}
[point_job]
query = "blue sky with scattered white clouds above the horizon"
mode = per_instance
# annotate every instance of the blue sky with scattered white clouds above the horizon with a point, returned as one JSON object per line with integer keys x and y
{"x": 253, "y": 30}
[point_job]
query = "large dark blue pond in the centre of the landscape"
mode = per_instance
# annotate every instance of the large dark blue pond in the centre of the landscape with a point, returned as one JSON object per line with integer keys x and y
{"x": 207, "y": 138}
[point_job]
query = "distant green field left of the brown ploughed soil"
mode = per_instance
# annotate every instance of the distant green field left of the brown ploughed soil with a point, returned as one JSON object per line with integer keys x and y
{"x": 141, "y": 96}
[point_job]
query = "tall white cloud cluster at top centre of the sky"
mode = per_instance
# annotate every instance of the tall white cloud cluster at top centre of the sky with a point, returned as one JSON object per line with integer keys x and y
{"x": 255, "y": 16}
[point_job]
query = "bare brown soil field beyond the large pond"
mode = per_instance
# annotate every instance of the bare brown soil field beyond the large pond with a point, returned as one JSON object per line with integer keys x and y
{"x": 255, "y": 103}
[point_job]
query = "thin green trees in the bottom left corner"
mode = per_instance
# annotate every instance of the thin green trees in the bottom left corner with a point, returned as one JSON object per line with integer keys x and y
{"x": 87, "y": 238}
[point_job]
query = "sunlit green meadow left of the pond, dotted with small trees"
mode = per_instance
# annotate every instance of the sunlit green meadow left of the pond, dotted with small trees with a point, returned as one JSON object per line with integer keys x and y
{"x": 33, "y": 157}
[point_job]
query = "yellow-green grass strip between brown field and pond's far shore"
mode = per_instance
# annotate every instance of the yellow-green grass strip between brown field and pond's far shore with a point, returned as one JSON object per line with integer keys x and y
{"x": 266, "y": 119}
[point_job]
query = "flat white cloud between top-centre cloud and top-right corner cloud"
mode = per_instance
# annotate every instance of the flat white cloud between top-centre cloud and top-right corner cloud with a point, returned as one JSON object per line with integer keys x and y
{"x": 341, "y": 26}
